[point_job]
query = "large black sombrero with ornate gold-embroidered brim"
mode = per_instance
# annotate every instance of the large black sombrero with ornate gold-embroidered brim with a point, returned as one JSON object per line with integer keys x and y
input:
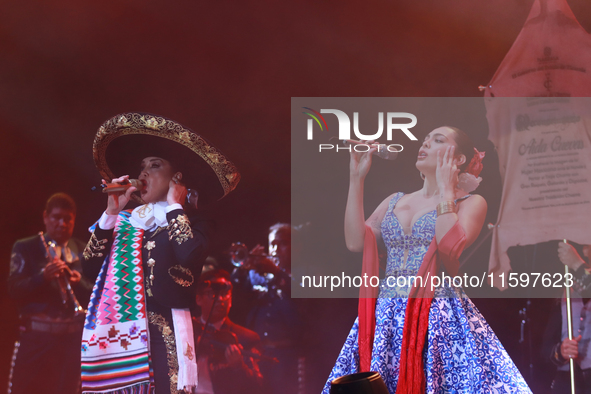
{"x": 124, "y": 140}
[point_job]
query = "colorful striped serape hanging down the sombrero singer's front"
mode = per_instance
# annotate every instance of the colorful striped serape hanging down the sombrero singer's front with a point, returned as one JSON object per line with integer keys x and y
{"x": 115, "y": 355}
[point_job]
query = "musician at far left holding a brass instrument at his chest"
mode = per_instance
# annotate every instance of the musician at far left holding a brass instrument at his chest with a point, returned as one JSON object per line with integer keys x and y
{"x": 47, "y": 355}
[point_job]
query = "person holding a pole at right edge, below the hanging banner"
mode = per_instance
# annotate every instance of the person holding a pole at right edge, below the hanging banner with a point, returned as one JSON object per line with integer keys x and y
{"x": 557, "y": 345}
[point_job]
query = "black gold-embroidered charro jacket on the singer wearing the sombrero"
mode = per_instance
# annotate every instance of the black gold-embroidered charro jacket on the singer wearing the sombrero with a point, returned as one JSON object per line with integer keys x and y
{"x": 177, "y": 251}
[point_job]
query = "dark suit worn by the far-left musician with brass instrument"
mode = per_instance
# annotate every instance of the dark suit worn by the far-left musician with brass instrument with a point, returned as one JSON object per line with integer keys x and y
{"x": 47, "y": 354}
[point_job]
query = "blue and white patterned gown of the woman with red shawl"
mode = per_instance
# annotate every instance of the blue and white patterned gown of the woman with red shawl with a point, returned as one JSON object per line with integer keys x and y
{"x": 462, "y": 354}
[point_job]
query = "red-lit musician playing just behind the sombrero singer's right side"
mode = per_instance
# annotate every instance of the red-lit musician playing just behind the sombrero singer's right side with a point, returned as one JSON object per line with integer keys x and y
{"x": 226, "y": 352}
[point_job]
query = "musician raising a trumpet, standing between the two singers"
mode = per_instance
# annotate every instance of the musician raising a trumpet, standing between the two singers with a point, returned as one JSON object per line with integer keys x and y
{"x": 274, "y": 315}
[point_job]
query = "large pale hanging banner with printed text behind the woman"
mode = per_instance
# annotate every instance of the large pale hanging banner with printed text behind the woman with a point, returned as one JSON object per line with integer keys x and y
{"x": 542, "y": 138}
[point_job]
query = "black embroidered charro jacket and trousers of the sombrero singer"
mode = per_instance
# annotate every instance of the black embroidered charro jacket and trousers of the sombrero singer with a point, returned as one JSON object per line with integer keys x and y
{"x": 178, "y": 252}
